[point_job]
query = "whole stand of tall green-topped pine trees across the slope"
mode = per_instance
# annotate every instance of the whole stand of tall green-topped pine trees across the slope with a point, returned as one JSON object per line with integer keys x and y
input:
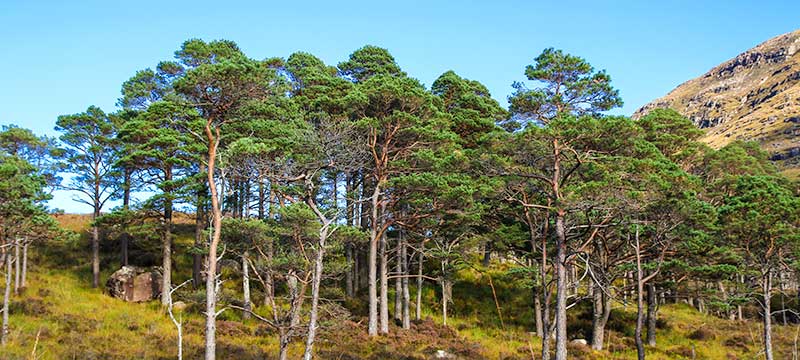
{"x": 337, "y": 188}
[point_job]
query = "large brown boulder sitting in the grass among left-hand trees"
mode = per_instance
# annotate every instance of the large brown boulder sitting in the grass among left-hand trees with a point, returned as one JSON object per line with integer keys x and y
{"x": 132, "y": 283}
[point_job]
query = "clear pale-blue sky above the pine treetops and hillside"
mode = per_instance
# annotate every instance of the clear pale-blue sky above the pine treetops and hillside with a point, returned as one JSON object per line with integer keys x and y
{"x": 59, "y": 57}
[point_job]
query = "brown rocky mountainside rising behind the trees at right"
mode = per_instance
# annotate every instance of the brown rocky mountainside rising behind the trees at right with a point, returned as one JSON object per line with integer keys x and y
{"x": 754, "y": 96}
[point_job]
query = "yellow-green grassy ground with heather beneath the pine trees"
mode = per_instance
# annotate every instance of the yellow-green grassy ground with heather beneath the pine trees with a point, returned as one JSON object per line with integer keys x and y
{"x": 59, "y": 316}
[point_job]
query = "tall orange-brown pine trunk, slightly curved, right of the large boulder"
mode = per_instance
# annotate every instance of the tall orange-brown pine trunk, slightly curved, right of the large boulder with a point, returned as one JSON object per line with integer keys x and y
{"x": 211, "y": 269}
